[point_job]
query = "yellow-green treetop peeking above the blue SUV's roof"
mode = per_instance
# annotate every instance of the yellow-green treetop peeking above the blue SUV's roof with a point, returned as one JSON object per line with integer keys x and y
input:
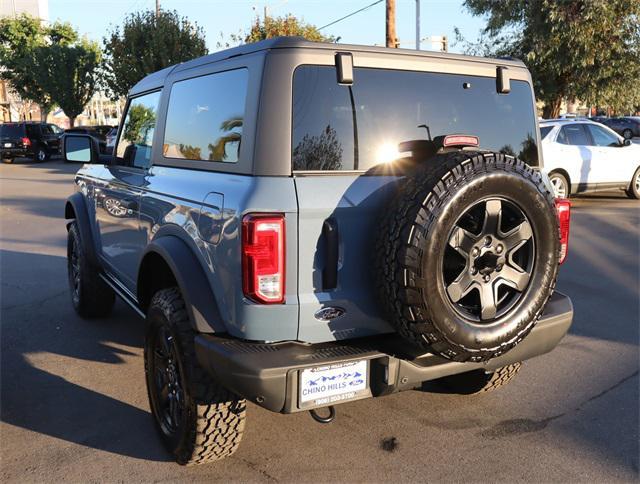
{"x": 270, "y": 27}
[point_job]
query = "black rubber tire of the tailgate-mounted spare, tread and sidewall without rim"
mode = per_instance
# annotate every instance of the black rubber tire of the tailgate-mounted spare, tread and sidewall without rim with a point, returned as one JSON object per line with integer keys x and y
{"x": 415, "y": 229}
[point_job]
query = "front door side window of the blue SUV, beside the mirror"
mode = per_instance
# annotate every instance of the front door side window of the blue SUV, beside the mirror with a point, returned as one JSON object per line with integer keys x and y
{"x": 136, "y": 139}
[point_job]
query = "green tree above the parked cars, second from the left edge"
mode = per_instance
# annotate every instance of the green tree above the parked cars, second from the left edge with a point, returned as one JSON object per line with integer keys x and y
{"x": 70, "y": 73}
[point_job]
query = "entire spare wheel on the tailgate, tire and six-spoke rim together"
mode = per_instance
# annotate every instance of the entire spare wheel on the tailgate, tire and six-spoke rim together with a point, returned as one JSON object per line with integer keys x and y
{"x": 468, "y": 254}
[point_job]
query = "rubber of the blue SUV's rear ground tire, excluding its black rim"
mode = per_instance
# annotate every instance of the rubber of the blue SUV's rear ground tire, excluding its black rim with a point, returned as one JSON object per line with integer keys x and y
{"x": 213, "y": 419}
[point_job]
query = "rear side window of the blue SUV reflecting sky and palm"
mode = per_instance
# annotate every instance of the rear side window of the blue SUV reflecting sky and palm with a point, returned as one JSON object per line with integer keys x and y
{"x": 205, "y": 117}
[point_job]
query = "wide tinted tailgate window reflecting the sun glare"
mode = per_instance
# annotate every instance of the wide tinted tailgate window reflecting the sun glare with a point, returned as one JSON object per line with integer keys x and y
{"x": 338, "y": 127}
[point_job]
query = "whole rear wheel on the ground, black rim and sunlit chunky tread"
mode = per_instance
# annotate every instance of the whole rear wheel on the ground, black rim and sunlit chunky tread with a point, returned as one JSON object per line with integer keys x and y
{"x": 198, "y": 420}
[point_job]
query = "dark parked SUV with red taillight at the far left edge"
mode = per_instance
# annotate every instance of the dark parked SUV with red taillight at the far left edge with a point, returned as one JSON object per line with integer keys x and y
{"x": 29, "y": 139}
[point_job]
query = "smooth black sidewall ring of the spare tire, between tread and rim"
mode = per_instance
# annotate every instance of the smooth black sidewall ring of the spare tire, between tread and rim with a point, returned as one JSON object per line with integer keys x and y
{"x": 463, "y": 336}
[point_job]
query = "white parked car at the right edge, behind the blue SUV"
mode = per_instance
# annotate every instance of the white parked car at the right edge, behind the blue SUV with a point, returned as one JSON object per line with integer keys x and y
{"x": 584, "y": 156}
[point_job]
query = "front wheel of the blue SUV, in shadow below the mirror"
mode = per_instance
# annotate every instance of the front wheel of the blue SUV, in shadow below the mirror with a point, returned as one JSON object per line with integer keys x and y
{"x": 91, "y": 296}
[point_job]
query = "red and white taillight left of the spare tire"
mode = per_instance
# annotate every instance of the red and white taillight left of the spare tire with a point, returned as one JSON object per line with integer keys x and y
{"x": 263, "y": 239}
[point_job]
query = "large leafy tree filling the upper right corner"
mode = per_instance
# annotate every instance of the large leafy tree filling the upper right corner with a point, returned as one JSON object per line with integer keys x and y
{"x": 575, "y": 49}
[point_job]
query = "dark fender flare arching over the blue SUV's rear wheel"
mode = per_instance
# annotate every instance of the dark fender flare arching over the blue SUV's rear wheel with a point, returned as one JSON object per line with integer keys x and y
{"x": 193, "y": 284}
